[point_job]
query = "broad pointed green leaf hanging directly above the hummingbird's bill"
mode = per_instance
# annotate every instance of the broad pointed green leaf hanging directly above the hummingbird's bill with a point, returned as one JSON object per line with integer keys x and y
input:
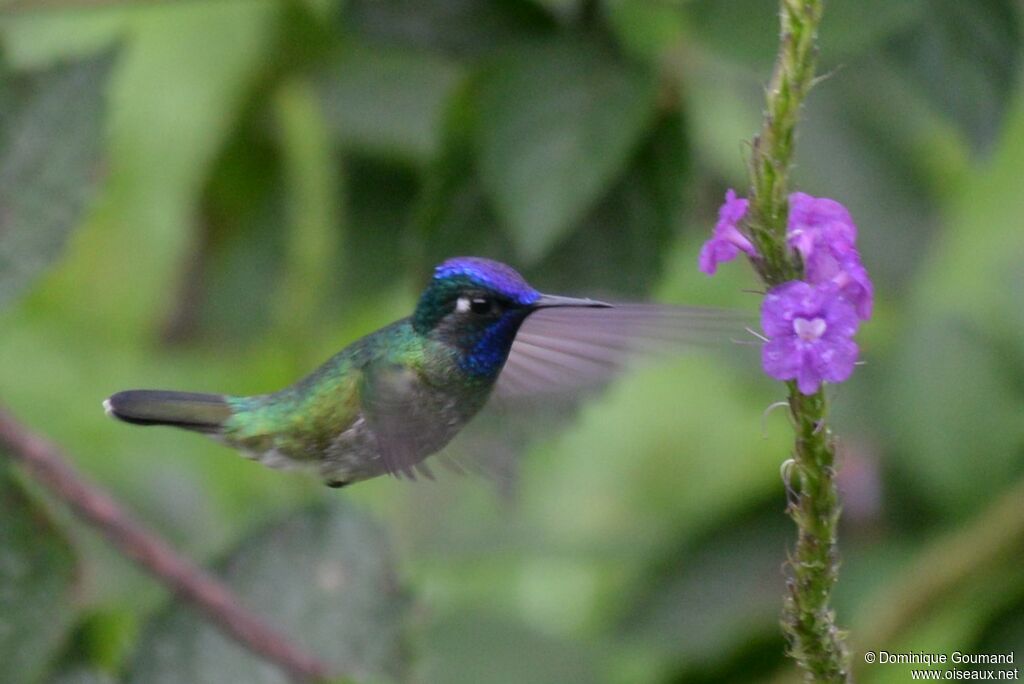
{"x": 558, "y": 125}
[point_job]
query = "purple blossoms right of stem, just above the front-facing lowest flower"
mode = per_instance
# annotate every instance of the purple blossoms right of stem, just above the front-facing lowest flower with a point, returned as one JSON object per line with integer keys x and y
{"x": 824, "y": 233}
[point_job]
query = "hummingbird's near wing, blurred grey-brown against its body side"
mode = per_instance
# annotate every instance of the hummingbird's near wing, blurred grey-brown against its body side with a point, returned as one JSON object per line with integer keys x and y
{"x": 402, "y": 418}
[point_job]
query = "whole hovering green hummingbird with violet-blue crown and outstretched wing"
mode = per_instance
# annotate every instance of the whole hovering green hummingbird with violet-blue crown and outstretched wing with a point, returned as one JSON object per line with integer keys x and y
{"x": 391, "y": 400}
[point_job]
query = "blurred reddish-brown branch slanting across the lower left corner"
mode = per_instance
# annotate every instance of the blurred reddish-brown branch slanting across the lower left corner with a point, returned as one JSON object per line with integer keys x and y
{"x": 48, "y": 465}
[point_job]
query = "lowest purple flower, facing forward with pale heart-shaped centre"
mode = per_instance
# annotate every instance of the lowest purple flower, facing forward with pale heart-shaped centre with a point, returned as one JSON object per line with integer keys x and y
{"x": 810, "y": 330}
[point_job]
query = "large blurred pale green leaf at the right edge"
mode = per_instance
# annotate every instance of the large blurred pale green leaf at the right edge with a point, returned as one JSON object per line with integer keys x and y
{"x": 956, "y": 389}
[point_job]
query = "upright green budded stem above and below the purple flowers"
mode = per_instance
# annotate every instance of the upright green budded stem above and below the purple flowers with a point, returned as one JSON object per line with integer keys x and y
{"x": 816, "y": 642}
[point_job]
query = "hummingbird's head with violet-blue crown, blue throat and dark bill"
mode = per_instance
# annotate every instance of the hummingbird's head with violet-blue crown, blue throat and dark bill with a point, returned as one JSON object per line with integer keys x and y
{"x": 477, "y": 306}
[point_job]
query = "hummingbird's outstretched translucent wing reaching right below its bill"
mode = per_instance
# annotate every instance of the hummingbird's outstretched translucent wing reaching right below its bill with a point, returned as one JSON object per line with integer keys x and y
{"x": 564, "y": 351}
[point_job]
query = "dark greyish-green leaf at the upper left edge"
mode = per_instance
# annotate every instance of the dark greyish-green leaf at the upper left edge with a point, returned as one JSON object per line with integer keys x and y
{"x": 52, "y": 133}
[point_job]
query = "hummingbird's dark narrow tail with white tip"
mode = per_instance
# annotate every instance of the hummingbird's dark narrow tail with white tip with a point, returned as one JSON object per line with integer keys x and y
{"x": 202, "y": 413}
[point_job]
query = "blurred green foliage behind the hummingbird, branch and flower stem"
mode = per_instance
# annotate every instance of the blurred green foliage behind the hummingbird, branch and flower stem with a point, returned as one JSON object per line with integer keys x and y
{"x": 218, "y": 195}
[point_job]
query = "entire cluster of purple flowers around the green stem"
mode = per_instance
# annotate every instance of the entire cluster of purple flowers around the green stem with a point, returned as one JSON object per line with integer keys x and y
{"x": 809, "y": 324}
